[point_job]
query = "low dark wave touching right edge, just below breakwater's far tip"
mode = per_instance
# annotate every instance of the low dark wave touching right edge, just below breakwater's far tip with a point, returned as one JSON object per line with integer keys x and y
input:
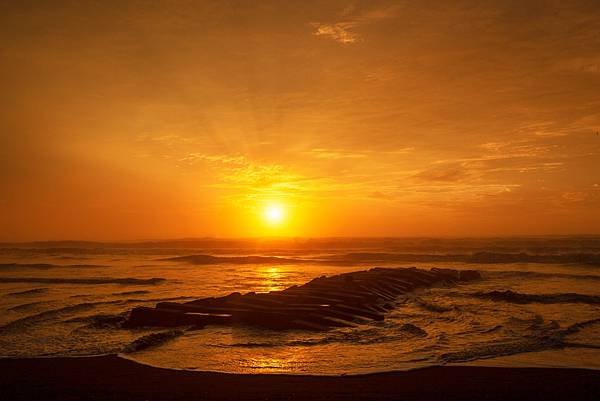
{"x": 520, "y": 298}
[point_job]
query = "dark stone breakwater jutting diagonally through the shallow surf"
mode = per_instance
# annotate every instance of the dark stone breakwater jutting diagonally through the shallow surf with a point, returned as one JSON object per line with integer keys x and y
{"x": 324, "y": 302}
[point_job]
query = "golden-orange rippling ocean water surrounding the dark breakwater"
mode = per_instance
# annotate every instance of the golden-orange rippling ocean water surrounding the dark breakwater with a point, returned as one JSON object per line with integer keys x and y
{"x": 538, "y": 303}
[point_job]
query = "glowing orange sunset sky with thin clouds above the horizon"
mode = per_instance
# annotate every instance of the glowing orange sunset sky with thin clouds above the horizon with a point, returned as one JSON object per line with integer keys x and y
{"x": 168, "y": 119}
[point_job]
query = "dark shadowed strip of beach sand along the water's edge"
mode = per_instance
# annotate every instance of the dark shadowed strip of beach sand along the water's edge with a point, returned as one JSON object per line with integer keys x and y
{"x": 114, "y": 378}
